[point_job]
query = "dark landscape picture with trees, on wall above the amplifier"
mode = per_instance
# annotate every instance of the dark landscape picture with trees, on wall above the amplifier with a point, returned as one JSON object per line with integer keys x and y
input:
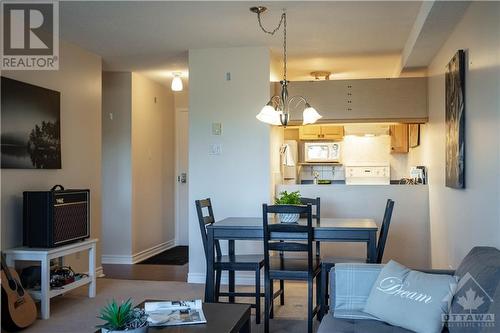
{"x": 31, "y": 133}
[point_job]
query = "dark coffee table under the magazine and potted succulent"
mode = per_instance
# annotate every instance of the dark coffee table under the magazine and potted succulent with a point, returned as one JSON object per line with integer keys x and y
{"x": 221, "y": 318}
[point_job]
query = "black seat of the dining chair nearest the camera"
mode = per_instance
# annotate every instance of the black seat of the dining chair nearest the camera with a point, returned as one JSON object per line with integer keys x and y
{"x": 291, "y": 266}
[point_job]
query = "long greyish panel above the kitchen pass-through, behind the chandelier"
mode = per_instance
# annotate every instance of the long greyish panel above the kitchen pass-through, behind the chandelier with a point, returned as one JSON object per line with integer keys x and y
{"x": 371, "y": 100}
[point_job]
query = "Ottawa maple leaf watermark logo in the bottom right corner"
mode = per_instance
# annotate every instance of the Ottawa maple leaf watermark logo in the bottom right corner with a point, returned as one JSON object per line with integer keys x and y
{"x": 471, "y": 308}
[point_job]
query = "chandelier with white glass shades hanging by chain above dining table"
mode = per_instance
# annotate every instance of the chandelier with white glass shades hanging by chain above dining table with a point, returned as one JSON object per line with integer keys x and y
{"x": 276, "y": 111}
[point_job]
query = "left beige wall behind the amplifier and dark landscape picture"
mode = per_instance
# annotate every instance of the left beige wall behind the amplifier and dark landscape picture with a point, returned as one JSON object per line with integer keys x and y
{"x": 79, "y": 81}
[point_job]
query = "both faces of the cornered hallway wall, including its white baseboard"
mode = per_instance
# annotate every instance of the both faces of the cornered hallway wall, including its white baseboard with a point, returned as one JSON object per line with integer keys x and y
{"x": 138, "y": 168}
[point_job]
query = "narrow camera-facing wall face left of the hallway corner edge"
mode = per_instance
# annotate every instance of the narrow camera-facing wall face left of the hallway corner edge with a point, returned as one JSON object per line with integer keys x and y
{"x": 116, "y": 163}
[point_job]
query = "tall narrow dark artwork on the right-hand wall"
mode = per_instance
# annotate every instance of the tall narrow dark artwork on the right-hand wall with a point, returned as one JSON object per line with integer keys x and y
{"x": 455, "y": 121}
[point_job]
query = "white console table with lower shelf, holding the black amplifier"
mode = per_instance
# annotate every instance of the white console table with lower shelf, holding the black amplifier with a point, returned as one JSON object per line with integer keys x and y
{"x": 44, "y": 256}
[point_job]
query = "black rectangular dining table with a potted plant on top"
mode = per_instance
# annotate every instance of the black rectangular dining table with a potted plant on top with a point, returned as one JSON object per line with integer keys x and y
{"x": 251, "y": 228}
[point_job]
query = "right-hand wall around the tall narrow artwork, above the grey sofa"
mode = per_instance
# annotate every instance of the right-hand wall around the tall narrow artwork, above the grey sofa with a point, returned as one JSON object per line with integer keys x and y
{"x": 461, "y": 219}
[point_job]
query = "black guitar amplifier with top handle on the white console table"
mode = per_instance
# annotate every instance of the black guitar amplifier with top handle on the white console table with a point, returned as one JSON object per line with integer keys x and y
{"x": 56, "y": 217}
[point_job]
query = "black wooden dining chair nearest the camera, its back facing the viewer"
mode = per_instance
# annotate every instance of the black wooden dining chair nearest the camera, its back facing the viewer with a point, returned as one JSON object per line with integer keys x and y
{"x": 283, "y": 237}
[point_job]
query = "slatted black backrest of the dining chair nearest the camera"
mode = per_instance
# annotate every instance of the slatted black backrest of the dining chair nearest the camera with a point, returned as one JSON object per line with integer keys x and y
{"x": 280, "y": 237}
